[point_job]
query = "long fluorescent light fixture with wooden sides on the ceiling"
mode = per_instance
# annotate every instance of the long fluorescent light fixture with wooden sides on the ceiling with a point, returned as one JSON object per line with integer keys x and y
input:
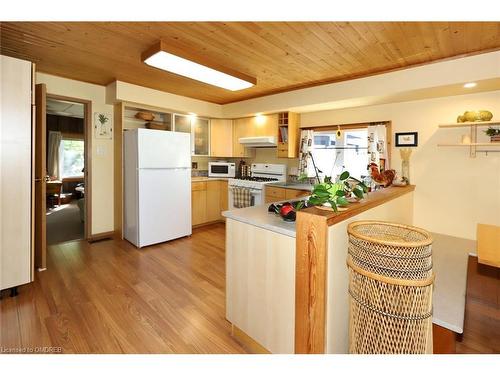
{"x": 158, "y": 57}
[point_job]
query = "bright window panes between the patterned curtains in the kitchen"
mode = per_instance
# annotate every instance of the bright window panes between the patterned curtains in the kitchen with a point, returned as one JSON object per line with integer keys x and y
{"x": 332, "y": 154}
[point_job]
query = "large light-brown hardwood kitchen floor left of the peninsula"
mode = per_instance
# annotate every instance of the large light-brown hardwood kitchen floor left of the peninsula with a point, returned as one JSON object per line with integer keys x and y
{"x": 109, "y": 297}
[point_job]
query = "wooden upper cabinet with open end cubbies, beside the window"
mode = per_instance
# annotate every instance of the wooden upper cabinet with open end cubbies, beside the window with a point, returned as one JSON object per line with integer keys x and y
{"x": 288, "y": 135}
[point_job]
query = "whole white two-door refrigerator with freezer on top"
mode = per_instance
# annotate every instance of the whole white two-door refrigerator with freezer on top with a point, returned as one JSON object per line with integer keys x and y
{"x": 157, "y": 186}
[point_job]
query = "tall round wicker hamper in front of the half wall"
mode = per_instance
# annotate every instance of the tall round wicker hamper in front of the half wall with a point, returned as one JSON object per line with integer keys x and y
{"x": 390, "y": 288}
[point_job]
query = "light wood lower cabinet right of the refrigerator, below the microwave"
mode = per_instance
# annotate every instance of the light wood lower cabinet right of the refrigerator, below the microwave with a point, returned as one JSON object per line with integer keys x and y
{"x": 208, "y": 200}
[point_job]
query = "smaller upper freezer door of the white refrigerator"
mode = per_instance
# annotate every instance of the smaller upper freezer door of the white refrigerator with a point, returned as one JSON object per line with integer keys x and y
{"x": 163, "y": 149}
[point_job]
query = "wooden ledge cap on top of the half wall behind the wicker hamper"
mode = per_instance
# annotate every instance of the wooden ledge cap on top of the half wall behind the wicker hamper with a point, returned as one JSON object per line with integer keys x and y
{"x": 373, "y": 199}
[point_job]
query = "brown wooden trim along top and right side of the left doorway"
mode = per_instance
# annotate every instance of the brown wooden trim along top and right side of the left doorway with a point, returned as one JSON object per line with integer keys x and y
{"x": 87, "y": 175}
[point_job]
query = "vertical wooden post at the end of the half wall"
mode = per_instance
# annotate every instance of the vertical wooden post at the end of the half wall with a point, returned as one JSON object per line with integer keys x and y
{"x": 310, "y": 283}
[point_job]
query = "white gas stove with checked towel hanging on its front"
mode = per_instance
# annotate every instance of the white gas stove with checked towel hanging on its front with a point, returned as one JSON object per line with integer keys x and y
{"x": 261, "y": 174}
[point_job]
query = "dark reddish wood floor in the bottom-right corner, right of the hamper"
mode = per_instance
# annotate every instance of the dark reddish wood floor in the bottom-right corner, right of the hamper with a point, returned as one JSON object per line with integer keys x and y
{"x": 482, "y": 310}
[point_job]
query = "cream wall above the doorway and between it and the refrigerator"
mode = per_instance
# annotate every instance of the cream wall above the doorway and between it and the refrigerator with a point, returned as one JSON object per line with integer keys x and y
{"x": 102, "y": 149}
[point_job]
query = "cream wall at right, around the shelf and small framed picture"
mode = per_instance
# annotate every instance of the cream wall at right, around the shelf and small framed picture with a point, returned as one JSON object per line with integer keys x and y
{"x": 454, "y": 192}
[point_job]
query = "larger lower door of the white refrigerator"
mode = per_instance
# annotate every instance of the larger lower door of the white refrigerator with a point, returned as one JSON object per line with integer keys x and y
{"x": 164, "y": 205}
